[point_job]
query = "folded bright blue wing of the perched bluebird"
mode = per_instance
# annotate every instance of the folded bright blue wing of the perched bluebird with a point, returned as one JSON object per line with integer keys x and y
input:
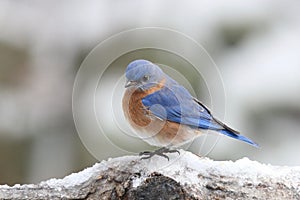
{"x": 177, "y": 105}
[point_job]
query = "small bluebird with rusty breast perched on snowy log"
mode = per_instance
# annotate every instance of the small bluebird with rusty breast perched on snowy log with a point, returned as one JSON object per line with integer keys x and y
{"x": 163, "y": 113}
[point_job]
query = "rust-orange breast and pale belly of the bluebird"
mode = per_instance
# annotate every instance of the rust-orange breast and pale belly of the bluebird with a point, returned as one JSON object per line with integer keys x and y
{"x": 159, "y": 132}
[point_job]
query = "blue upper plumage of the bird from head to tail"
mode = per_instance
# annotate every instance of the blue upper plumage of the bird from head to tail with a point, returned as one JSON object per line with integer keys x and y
{"x": 167, "y": 100}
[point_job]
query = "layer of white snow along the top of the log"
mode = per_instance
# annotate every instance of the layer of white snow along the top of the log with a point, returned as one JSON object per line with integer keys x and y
{"x": 186, "y": 168}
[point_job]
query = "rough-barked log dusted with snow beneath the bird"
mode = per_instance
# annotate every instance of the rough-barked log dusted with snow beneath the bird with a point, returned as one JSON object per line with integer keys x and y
{"x": 183, "y": 177}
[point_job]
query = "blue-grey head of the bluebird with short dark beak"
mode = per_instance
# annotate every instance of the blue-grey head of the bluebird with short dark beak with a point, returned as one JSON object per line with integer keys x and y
{"x": 143, "y": 74}
